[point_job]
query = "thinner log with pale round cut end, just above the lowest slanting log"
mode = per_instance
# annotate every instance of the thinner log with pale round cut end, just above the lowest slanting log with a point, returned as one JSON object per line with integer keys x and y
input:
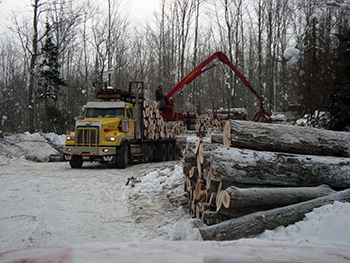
{"x": 236, "y": 202}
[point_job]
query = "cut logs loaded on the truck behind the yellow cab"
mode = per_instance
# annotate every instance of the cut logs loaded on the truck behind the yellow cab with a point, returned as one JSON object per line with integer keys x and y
{"x": 155, "y": 127}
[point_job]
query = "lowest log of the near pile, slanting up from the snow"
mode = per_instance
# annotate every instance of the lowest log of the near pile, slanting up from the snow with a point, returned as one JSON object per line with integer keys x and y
{"x": 256, "y": 223}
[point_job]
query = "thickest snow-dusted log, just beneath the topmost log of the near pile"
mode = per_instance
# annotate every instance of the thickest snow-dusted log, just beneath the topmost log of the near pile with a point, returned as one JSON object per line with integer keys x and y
{"x": 242, "y": 166}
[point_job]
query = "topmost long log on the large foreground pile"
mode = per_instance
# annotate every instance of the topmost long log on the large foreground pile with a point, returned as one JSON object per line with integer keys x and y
{"x": 289, "y": 139}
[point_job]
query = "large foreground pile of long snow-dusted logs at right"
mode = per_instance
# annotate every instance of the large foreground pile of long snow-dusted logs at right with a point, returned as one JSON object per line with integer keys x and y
{"x": 233, "y": 189}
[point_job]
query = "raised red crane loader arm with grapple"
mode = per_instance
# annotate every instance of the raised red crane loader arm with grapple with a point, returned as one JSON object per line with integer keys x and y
{"x": 167, "y": 110}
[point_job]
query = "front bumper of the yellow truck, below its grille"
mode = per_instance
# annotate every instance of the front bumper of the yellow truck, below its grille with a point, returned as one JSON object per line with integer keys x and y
{"x": 105, "y": 153}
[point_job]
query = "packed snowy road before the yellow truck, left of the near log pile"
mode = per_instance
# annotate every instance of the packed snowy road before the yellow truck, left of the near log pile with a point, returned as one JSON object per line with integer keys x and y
{"x": 49, "y": 204}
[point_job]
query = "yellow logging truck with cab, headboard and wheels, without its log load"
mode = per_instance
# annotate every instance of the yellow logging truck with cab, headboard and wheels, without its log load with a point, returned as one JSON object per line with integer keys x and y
{"x": 111, "y": 131}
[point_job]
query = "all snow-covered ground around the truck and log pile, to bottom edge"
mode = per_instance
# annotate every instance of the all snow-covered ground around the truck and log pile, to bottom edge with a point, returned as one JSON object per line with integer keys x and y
{"x": 52, "y": 213}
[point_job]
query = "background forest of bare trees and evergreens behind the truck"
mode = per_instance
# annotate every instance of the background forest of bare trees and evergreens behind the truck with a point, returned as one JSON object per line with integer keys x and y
{"x": 293, "y": 52}
